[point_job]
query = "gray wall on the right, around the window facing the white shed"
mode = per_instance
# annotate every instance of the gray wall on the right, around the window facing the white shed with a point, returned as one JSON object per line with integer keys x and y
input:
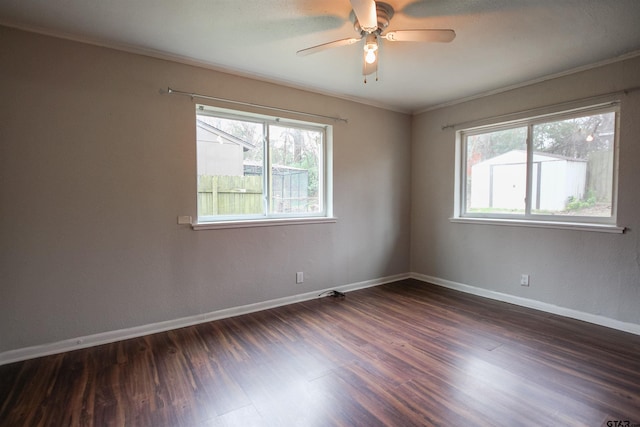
{"x": 593, "y": 273}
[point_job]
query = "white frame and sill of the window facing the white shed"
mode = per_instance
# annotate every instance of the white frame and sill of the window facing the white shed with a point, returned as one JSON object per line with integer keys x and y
{"x": 528, "y": 218}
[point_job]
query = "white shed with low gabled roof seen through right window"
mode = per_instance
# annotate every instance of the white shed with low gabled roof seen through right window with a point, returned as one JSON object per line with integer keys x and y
{"x": 500, "y": 182}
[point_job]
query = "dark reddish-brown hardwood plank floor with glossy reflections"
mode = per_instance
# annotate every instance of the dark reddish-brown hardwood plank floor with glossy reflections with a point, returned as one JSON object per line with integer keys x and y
{"x": 401, "y": 354}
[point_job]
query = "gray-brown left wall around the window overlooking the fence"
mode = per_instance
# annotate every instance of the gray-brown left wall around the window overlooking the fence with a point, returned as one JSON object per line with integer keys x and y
{"x": 96, "y": 166}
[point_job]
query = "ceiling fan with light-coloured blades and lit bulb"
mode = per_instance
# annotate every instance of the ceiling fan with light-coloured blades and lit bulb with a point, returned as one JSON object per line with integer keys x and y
{"x": 371, "y": 18}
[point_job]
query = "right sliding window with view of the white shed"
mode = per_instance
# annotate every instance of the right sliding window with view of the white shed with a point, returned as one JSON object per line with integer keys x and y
{"x": 554, "y": 168}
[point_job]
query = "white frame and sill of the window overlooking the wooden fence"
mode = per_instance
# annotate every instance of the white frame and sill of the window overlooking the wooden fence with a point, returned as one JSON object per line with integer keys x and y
{"x": 268, "y": 218}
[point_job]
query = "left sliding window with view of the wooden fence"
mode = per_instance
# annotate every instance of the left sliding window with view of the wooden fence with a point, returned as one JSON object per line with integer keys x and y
{"x": 253, "y": 167}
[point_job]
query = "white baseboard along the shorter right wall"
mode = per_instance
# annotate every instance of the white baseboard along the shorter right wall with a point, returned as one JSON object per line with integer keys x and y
{"x": 526, "y": 302}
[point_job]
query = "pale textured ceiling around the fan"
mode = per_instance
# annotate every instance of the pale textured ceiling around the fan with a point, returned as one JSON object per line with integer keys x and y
{"x": 499, "y": 43}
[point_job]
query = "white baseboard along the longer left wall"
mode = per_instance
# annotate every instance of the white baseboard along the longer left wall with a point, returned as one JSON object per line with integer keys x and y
{"x": 137, "y": 331}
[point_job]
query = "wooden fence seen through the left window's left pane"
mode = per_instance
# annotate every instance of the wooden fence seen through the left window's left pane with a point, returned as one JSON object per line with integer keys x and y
{"x": 228, "y": 195}
